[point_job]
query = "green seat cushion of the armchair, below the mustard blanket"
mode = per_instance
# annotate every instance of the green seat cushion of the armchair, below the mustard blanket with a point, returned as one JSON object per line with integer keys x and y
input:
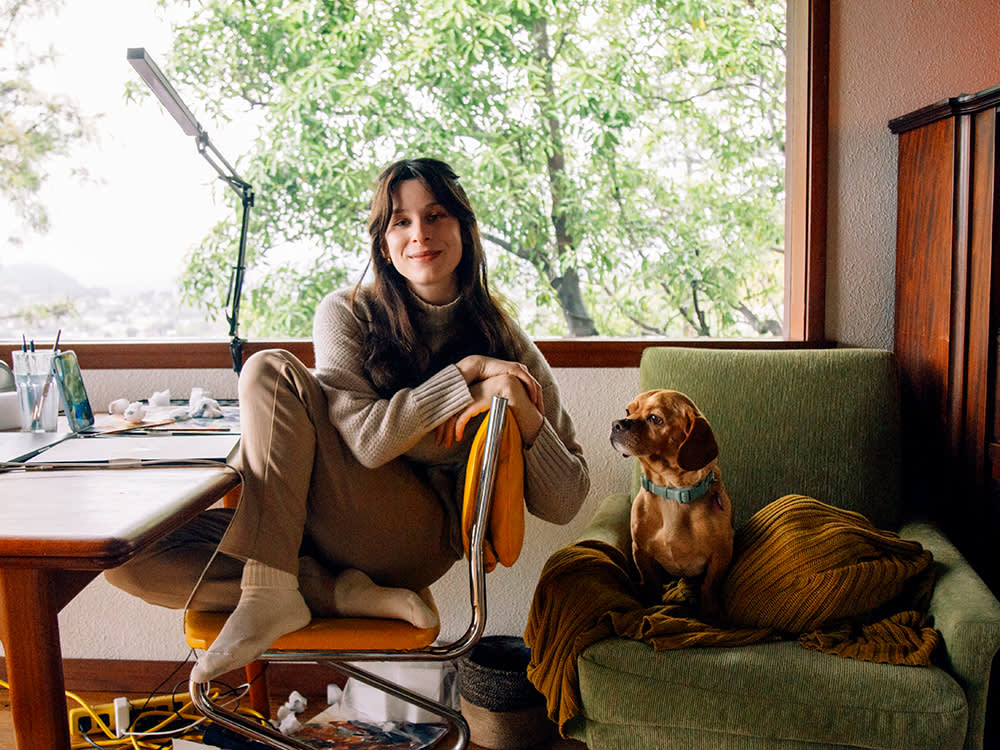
{"x": 634, "y": 696}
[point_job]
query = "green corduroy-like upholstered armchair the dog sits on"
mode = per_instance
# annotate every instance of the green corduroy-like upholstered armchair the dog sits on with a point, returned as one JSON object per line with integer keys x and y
{"x": 822, "y": 423}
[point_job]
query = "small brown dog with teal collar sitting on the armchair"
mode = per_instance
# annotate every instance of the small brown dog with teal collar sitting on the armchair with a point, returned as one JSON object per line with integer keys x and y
{"x": 682, "y": 518}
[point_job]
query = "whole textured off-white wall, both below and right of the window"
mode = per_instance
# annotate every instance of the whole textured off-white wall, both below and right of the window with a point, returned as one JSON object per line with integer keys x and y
{"x": 887, "y": 58}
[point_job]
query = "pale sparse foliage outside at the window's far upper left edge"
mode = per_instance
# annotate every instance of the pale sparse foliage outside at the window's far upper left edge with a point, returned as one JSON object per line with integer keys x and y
{"x": 34, "y": 126}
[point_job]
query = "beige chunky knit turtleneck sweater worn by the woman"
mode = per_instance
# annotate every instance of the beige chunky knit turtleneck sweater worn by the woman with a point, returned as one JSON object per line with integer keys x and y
{"x": 378, "y": 430}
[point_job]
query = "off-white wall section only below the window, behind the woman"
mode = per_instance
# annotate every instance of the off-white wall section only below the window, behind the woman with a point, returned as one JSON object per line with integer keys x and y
{"x": 105, "y": 623}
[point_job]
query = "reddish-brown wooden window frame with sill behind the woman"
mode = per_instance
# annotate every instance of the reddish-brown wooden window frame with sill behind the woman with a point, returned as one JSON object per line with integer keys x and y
{"x": 807, "y": 95}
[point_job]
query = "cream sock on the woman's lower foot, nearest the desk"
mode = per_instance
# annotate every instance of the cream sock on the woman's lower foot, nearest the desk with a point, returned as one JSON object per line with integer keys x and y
{"x": 270, "y": 606}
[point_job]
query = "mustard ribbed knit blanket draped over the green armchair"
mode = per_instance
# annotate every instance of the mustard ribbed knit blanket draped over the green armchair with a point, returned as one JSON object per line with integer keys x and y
{"x": 801, "y": 569}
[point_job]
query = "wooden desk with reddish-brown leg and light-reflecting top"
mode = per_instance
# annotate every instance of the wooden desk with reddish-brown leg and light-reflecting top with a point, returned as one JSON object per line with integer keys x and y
{"x": 58, "y": 530}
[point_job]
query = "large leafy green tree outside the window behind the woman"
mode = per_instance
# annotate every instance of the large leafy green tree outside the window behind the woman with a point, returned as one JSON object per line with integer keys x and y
{"x": 626, "y": 157}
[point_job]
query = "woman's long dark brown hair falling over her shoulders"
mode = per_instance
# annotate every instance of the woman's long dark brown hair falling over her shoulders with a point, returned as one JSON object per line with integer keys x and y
{"x": 395, "y": 356}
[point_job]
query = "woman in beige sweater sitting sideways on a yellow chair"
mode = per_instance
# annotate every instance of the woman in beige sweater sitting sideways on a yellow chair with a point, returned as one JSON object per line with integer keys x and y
{"x": 353, "y": 474}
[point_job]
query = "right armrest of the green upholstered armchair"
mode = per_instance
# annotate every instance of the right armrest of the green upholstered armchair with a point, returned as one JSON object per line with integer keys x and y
{"x": 967, "y": 614}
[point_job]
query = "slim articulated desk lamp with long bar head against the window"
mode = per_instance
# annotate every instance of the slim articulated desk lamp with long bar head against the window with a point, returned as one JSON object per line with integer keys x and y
{"x": 171, "y": 100}
